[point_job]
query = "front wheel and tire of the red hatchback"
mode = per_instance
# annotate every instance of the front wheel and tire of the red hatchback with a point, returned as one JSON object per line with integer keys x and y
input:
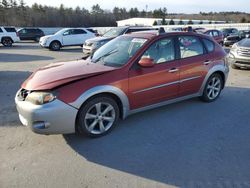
{"x": 83, "y": 123}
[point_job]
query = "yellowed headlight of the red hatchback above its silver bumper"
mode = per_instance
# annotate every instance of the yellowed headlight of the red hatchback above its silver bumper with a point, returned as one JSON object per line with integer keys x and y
{"x": 40, "y": 98}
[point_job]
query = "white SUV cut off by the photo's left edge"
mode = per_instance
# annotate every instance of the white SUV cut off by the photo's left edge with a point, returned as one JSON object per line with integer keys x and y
{"x": 8, "y": 36}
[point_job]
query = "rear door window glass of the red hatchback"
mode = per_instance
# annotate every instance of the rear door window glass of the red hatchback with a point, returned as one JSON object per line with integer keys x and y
{"x": 190, "y": 46}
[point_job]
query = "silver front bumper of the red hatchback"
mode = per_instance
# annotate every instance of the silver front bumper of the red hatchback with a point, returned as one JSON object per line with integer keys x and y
{"x": 52, "y": 118}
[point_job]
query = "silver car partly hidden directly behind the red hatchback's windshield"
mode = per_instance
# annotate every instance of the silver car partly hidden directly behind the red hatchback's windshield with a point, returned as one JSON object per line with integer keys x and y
{"x": 91, "y": 45}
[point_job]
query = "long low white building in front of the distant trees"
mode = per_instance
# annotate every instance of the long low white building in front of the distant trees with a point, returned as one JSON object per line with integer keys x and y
{"x": 151, "y": 21}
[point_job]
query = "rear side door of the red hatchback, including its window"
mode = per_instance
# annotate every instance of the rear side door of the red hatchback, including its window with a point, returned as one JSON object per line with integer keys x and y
{"x": 194, "y": 64}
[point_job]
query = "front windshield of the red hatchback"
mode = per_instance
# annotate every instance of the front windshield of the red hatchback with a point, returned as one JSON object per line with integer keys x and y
{"x": 117, "y": 52}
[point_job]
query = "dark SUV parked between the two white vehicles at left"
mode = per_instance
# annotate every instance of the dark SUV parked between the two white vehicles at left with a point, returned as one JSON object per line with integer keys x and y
{"x": 30, "y": 34}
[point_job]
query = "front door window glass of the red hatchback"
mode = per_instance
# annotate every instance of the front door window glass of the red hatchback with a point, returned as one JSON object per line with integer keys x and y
{"x": 161, "y": 51}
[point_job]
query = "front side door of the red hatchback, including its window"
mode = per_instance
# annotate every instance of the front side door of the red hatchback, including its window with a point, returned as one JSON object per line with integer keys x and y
{"x": 158, "y": 83}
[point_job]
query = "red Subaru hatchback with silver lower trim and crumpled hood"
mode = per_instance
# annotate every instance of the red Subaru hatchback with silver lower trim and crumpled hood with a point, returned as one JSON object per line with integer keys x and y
{"x": 131, "y": 73}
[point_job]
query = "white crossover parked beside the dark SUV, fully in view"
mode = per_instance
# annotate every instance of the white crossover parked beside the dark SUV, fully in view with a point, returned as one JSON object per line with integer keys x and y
{"x": 66, "y": 37}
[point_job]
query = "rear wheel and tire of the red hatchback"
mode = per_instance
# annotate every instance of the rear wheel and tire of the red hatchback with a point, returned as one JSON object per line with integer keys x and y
{"x": 207, "y": 96}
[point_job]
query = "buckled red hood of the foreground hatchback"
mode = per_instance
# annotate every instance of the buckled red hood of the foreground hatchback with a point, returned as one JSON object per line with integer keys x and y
{"x": 56, "y": 74}
